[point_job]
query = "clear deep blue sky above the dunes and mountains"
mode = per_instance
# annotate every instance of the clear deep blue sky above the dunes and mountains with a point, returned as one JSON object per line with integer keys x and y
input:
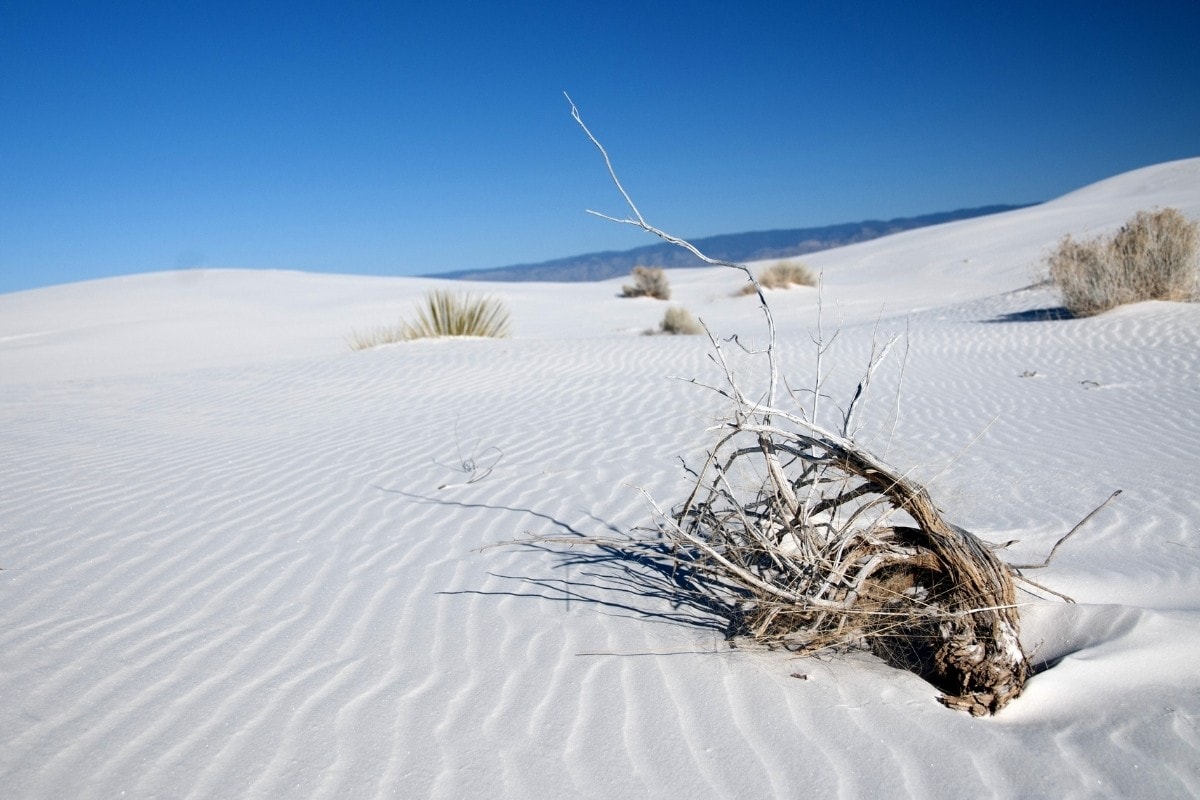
{"x": 397, "y": 139}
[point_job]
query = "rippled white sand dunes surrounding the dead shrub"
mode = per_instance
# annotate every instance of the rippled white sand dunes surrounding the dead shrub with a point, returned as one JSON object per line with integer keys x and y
{"x": 230, "y": 569}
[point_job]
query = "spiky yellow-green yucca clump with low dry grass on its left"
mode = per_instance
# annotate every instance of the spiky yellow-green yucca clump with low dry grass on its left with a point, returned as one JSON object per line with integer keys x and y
{"x": 442, "y": 314}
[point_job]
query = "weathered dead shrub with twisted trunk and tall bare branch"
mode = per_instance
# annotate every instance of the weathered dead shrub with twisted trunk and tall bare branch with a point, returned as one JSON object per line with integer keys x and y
{"x": 813, "y": 543}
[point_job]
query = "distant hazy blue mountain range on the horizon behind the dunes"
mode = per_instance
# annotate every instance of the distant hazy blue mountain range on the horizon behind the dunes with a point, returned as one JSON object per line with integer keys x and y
{"x": 731, "y": 248}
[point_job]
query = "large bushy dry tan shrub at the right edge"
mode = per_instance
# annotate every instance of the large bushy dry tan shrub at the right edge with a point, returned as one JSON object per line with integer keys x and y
{"x": 1153, "y": 257}
